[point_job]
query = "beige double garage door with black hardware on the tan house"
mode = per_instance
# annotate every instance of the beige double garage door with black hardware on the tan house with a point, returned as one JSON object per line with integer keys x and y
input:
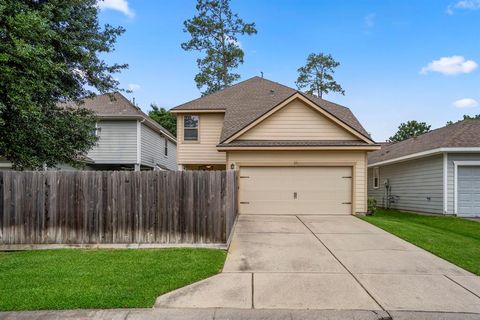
{"x": 295, "y": 190}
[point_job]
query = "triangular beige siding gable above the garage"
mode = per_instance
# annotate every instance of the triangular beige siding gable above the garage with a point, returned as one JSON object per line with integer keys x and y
{"x": 297, "y": 121}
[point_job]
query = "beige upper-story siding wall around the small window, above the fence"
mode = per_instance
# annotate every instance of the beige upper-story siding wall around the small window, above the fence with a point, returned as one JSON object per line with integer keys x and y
{"x": 204, "y": 150}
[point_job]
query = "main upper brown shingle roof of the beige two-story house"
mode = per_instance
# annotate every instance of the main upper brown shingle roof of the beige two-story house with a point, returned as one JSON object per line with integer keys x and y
{"x": 245, "y": 102}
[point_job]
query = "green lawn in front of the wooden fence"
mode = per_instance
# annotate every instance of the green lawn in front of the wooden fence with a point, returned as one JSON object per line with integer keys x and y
{"x": 71, "y": 279}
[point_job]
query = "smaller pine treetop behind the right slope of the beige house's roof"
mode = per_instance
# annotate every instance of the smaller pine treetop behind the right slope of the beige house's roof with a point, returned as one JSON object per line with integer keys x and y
{"x": 317, "y": 75}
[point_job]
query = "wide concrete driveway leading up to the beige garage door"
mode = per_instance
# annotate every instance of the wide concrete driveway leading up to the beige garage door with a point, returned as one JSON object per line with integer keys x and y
{"x": 328, "y": 262}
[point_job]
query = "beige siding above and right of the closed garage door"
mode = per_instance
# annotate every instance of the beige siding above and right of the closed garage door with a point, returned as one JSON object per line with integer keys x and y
{"x": 356, "y": 159}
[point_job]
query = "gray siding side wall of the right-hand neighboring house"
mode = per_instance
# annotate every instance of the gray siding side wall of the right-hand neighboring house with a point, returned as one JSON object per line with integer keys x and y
{"x": 418, "y": 184}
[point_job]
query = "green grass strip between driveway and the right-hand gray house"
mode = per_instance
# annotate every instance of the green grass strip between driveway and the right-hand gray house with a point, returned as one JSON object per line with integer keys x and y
{"x": 454, "y": 239}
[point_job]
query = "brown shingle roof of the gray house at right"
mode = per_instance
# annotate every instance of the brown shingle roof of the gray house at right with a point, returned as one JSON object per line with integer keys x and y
{"x": 464, "y": 134}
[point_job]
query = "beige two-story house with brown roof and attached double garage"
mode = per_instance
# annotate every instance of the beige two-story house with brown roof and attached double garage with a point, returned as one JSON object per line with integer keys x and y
{"x": 295, "y": 153}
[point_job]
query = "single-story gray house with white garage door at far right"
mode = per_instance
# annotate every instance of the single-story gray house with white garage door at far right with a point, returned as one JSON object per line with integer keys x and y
{"x": 436, "y": 172}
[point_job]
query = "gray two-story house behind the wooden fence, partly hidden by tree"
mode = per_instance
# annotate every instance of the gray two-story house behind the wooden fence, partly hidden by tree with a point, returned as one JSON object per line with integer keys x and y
{"x": 128, "y": 138}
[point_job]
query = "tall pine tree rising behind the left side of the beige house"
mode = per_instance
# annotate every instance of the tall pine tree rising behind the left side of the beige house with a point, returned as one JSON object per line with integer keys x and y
{"x": 214, "y": 30}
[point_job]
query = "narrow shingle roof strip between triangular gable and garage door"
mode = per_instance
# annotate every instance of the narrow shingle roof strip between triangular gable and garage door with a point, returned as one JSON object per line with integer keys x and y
{"x": 294, "y": 143}
